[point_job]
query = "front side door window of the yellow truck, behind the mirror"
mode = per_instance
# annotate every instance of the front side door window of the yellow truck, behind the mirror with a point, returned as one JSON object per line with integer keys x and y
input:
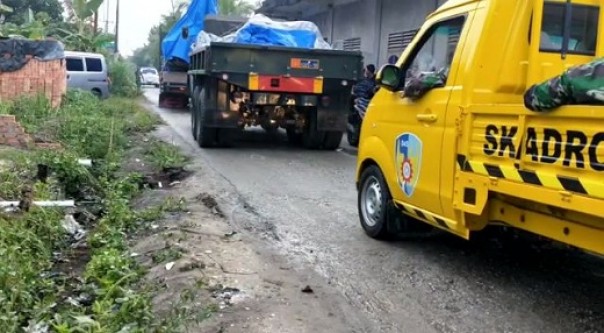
{"x": 436, "y": 52}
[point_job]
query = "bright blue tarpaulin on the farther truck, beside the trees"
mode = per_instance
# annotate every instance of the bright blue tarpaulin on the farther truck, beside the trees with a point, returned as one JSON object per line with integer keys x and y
{"x": 174, "y": 45}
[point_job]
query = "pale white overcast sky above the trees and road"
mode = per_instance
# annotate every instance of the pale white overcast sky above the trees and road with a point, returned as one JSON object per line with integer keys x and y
{"x": 137, "y": 17}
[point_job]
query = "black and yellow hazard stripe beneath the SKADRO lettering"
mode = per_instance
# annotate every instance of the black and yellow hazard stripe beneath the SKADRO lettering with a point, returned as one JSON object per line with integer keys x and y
{"x": 537, "y": 178}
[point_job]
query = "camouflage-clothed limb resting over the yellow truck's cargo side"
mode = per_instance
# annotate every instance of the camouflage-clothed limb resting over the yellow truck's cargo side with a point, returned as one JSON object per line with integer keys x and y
{"x": 579, "y": 85}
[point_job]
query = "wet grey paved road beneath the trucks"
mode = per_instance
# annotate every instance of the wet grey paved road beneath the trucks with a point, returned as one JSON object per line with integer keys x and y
{"x": 439, "y": 284}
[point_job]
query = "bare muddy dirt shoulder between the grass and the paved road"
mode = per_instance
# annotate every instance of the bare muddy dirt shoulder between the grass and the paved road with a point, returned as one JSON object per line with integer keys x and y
{"x": 236, "y": 282}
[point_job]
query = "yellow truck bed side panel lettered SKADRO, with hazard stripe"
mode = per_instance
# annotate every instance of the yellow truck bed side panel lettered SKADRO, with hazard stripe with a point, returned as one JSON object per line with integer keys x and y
{"x": 562, "y": 150}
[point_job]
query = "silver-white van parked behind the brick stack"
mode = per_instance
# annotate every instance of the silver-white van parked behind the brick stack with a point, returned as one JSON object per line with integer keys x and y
{"x": 87, "y": 71}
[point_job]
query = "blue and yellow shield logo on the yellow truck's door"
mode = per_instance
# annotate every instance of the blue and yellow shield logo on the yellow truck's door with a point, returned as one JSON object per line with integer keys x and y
{"x": 408, "y": 161}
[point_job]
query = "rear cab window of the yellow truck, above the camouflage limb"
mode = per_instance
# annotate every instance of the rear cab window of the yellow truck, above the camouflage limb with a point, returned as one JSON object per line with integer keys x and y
{"x": 578, "y": 23}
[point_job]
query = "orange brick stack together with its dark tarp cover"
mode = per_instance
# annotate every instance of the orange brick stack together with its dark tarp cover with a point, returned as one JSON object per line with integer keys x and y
{"x": 29, "y": 67}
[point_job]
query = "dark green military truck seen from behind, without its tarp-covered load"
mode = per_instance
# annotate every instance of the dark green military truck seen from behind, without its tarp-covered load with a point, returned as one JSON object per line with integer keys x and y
{"x": 304, "y": 91}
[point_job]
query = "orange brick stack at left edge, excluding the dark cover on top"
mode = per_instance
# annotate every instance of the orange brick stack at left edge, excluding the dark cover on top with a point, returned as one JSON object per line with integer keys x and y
{"x": 46, "y": 77}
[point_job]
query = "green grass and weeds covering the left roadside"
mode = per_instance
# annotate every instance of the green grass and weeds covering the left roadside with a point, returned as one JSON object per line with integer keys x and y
{"x": 34, "y": 286}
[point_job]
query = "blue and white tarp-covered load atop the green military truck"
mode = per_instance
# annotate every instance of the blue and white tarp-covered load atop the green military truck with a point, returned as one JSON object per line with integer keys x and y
{"x": 261, "y": 30}
